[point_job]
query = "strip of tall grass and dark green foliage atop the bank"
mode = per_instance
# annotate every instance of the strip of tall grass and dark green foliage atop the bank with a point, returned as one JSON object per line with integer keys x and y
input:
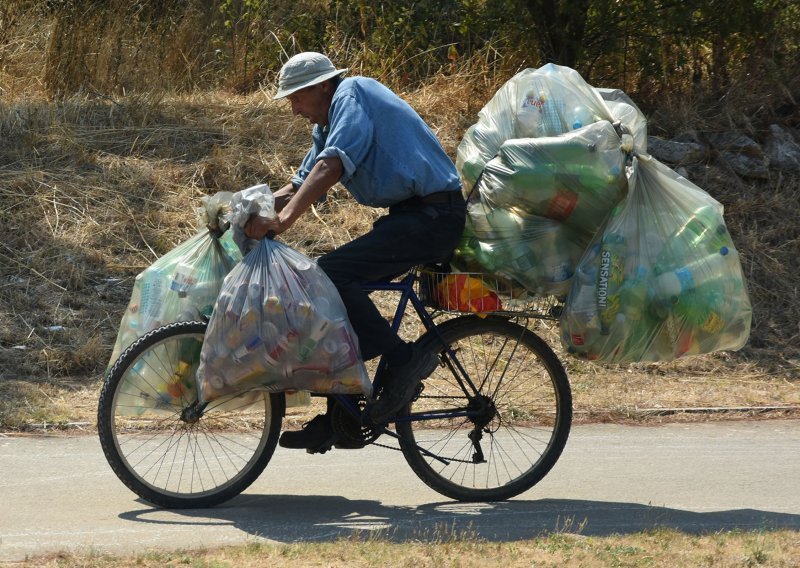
{"x": 638, "y": 45}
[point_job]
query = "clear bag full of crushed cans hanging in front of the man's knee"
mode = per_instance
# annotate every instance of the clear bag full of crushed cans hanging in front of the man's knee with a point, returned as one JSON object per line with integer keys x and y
{"x": 278, "y": 323}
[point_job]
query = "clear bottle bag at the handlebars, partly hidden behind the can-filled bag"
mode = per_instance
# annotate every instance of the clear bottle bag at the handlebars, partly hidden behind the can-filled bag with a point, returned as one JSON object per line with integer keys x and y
{"x": 183, "y": 284}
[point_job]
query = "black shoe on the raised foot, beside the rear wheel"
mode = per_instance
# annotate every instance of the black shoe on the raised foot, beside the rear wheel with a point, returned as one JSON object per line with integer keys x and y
{"x": 401, "y": 384}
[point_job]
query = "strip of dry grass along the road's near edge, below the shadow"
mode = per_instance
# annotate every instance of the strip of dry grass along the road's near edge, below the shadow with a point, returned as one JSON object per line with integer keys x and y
{"x": 659, "y": 548}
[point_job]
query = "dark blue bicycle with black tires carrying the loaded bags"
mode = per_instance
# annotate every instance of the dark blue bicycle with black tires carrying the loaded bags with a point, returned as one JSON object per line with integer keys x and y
{"x": 488, "y": 423}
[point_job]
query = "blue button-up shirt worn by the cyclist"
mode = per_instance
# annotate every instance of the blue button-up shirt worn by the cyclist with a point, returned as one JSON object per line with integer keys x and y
{"x": 387, "y": 151}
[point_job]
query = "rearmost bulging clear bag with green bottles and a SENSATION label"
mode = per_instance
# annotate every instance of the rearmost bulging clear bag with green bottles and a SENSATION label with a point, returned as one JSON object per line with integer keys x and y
{"x": 661, "y": 280}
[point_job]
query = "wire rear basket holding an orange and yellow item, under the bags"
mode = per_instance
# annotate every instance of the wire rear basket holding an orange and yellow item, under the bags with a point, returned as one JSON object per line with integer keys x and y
{"x": 478, "y": 293}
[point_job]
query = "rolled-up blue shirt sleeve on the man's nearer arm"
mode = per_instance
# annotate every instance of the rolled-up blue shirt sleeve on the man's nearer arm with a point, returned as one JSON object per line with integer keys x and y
{"x": 350, "y": 135}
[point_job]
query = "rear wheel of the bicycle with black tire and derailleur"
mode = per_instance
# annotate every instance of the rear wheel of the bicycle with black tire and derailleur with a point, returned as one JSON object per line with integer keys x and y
{"x": 528, "y": 412}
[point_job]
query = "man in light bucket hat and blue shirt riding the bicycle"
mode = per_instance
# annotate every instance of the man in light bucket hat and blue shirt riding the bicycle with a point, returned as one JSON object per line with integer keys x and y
{"x": 373, "y": 143}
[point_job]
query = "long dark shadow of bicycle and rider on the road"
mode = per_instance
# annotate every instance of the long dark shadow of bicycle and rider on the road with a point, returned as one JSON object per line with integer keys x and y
{"x": 289, "y": 518}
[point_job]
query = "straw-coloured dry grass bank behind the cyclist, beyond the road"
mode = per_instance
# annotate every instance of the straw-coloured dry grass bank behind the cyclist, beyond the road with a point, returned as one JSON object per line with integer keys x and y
{"x": 94, "y": 187}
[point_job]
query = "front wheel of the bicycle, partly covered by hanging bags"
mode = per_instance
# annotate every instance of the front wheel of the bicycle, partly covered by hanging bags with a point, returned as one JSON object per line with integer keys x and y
{"x": 163, "y": 458}
